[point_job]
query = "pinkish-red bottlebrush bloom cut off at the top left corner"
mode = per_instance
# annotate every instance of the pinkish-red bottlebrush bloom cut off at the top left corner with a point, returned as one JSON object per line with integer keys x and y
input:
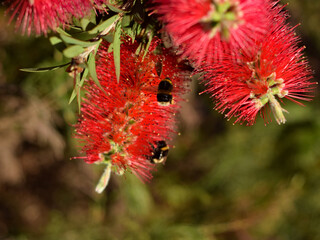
{"x": 41, "y": 15}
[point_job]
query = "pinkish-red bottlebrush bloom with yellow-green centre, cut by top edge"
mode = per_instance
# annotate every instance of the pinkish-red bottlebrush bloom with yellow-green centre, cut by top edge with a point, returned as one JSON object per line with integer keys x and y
{"x": 206, "y": 29}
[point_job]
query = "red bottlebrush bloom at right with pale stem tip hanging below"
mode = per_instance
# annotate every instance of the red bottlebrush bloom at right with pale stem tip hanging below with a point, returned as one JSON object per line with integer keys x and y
{"x": 271, "y": 70}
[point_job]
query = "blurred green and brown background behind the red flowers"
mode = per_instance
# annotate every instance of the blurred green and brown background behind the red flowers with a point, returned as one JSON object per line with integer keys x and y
{"x": 220, "y": 182}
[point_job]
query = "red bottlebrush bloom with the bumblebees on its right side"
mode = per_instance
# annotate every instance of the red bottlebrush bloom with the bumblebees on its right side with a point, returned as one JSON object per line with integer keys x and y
{"x": 121, "y": 123}
